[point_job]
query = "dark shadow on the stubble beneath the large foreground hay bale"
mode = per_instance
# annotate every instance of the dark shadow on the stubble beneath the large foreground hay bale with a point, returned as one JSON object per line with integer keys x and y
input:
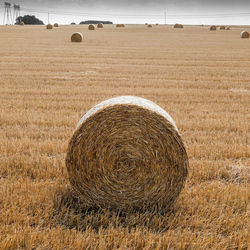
{"x": 70, "y": 212}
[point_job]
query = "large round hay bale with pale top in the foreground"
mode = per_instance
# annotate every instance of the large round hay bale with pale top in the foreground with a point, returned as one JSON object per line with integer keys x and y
{"x": 126, "y": 152}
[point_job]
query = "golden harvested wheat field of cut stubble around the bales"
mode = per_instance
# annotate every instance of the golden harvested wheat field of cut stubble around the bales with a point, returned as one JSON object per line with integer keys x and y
{"x": 47, "y": 84}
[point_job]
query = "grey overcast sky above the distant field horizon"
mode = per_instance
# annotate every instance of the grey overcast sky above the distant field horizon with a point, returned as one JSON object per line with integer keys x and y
{"x": 139, "y": 11}
